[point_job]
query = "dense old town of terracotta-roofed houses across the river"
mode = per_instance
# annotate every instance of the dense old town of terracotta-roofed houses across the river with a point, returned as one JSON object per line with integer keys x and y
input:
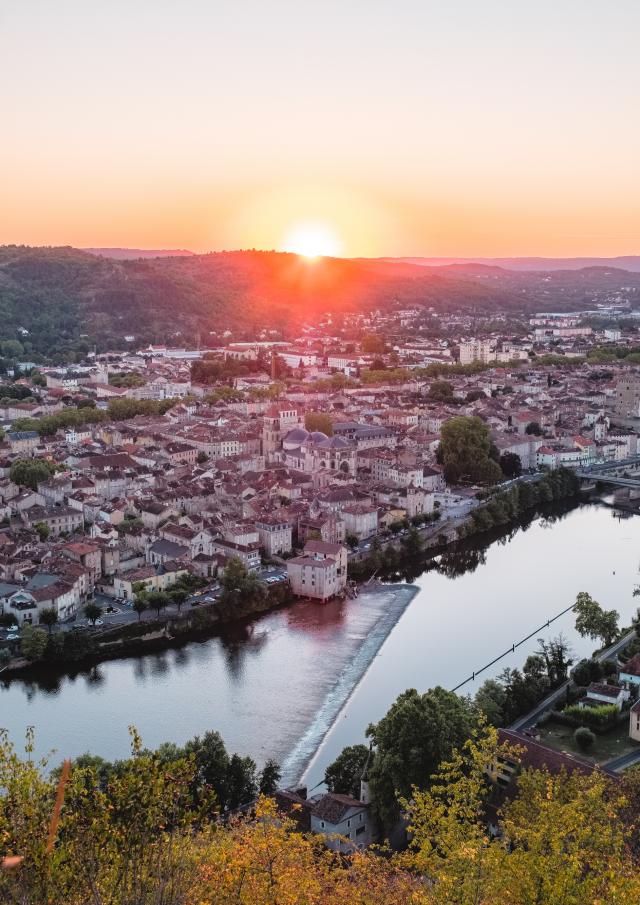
{"x": 240, "y": 475}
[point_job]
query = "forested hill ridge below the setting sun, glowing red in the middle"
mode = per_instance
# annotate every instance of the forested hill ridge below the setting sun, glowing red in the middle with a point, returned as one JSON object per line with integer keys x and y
{"x": 69, "y": 300}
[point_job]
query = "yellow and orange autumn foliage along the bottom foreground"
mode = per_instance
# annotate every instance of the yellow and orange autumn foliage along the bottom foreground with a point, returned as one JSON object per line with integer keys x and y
{"x": 146, "y": 831}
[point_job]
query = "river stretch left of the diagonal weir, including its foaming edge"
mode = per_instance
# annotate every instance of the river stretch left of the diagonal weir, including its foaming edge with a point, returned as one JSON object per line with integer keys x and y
{"x": 265, "y": 684}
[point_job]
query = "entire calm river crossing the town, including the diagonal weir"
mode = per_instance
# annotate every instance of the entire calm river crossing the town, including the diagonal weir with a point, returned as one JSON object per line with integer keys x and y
{"x": 301, "y": 683}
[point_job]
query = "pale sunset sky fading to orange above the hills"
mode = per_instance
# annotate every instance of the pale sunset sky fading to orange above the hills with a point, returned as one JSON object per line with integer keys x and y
{"x": 403, "y": 127}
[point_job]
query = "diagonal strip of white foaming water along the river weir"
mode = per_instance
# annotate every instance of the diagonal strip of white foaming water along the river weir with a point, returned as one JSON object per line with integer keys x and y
{"x": 395, "y": 598}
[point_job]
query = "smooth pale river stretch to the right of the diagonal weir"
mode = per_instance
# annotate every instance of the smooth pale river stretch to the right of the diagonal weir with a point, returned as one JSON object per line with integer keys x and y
{"x": 498, "y": 595}
